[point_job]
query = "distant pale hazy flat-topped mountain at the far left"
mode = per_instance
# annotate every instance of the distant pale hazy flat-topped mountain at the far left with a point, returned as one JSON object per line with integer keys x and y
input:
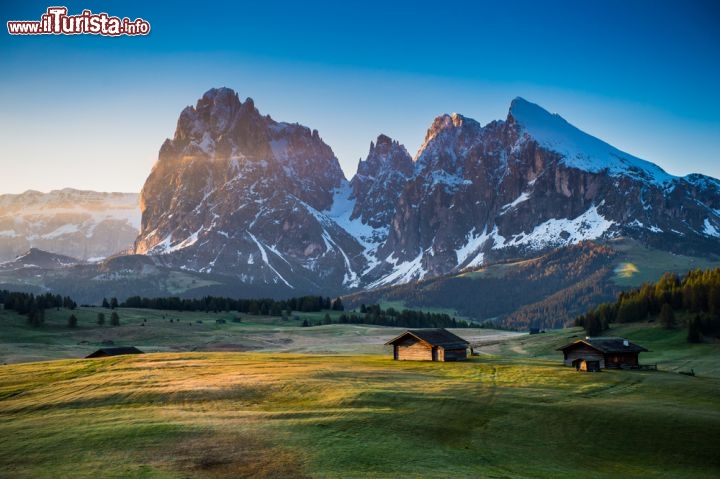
{"x": 83, "y": 224}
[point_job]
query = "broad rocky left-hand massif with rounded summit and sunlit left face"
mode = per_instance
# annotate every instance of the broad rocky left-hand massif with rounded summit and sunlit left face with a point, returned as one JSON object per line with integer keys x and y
{"x": 237, "y": 193}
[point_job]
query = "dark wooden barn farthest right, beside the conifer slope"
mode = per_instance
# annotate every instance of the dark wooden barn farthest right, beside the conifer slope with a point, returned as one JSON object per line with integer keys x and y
{"x": 602, "y": 353}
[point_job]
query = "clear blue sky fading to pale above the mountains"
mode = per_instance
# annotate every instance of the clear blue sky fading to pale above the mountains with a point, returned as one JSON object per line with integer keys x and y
{"x": 91, "y": 111}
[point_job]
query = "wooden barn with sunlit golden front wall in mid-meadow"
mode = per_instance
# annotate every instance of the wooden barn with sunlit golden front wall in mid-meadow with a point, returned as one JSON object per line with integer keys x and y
{"x": 428, "y": 345}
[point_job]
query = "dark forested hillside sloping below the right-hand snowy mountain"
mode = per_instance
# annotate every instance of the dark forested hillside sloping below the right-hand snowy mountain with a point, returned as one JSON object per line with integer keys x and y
{"x": 546, "y": 292}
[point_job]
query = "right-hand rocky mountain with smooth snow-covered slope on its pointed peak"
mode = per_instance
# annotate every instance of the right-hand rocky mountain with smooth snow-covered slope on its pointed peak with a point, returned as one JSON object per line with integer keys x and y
{"x": 533, "y": 182}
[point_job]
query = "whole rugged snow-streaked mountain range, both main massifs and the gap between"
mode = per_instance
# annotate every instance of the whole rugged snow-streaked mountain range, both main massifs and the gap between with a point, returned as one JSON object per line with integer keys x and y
{"x": 241, "y": 200}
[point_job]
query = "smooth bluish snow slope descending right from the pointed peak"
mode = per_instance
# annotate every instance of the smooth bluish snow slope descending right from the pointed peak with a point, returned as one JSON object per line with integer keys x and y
{"x": 580, "y": 150}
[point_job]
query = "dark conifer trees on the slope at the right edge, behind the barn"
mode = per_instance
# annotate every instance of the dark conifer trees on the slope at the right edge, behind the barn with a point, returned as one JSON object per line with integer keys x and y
{"x": 695, "y": 296}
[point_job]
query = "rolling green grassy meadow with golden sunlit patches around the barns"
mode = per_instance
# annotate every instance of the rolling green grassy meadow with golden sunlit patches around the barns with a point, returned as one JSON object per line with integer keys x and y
{"x": 338, "y": 406}
